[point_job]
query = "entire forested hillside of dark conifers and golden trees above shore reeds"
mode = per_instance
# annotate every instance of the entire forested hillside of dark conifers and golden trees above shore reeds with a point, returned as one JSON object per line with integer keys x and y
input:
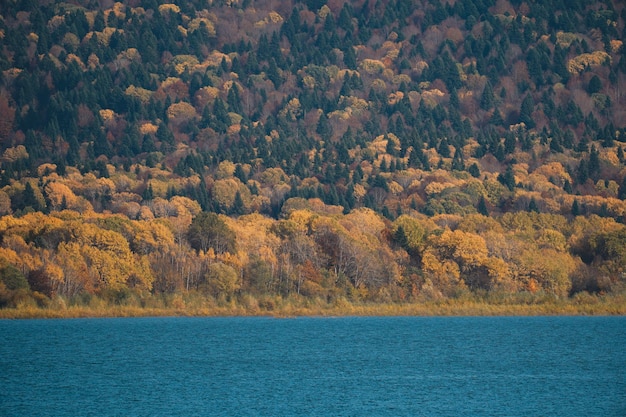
{"x": 370, "y": 150}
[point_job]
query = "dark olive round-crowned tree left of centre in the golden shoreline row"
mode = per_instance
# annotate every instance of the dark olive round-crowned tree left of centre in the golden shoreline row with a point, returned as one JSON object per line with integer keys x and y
{"x": 209, "y": 231}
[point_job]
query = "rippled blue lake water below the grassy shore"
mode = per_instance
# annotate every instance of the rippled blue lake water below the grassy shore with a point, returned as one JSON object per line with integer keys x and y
{"x": 391, "y": 366}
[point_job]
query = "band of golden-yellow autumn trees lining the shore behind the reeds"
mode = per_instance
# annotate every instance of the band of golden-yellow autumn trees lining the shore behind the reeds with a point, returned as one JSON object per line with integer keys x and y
{"x": 312, "y": 252}
